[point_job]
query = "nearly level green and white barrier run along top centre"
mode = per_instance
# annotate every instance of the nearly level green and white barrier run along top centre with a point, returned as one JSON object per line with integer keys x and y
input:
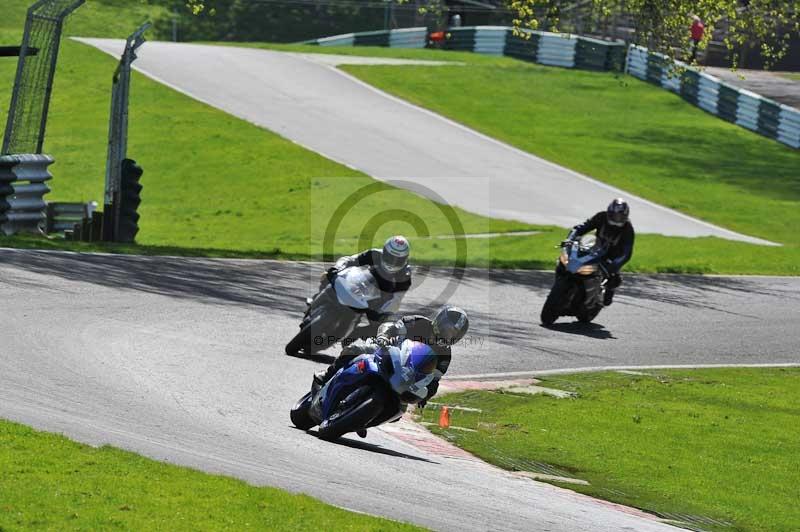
{"x": 555, "y": 49}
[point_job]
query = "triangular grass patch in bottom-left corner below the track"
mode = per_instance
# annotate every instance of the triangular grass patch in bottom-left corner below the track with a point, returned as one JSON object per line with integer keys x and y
{"x": 49, "y": 482}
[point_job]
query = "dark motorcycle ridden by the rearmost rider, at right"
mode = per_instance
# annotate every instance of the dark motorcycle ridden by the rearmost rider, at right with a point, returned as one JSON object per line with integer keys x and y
{"x": 580, "y": 282}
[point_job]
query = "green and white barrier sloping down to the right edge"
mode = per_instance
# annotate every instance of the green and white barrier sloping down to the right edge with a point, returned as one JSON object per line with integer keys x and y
{"x": 740, "y": 106}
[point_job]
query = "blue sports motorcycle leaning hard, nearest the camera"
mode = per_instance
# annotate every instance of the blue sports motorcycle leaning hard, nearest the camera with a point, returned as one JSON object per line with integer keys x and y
{"x": 371, "y": 390}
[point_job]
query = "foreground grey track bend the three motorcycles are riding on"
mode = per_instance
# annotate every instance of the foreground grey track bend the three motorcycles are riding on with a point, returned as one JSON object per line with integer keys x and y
{"x": 181, "y": 360}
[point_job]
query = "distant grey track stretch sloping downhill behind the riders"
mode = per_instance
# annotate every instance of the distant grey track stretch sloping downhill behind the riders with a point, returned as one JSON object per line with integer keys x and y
{"x": 326, "y": 110}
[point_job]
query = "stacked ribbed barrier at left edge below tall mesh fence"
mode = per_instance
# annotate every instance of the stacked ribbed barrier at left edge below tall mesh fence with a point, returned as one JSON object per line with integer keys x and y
{"x": 22, "y": 190}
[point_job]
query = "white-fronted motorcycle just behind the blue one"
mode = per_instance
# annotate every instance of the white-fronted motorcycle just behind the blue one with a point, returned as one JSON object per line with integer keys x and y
{"x": 341, "y": 306}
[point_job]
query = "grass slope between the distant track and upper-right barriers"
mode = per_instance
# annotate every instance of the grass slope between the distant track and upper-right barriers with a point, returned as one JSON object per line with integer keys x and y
{"x": 622, "y": 131}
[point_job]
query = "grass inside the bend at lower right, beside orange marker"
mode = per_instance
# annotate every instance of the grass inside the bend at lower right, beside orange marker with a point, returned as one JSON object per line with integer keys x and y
{"x": 721, "y": 443}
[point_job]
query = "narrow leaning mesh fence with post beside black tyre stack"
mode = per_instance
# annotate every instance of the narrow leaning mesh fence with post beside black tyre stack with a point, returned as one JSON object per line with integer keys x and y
{"x": 118, "y": 143}
